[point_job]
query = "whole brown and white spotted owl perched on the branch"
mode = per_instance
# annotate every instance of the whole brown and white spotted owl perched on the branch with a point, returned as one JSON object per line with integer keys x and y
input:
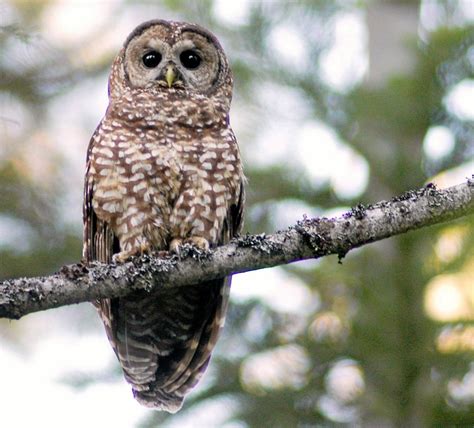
{"x": 163, "y": 170}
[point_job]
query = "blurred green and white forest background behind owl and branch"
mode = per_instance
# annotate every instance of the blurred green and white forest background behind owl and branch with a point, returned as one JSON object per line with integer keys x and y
{"x": 335, "y": 103}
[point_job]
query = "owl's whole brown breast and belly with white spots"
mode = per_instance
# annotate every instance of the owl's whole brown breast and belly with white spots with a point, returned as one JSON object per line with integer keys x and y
{"x": 159, "y": 181}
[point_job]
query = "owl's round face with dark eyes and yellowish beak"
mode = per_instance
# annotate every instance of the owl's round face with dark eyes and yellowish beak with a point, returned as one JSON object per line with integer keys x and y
{"x": 173, "y": 55}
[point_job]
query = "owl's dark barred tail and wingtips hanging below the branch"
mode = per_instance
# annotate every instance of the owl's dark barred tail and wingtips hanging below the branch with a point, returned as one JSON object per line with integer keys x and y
{"x": 164, "y": 340}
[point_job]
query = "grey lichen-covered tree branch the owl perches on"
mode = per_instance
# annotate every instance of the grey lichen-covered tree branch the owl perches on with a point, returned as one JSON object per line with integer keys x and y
{"x": 309, "y": 238}
